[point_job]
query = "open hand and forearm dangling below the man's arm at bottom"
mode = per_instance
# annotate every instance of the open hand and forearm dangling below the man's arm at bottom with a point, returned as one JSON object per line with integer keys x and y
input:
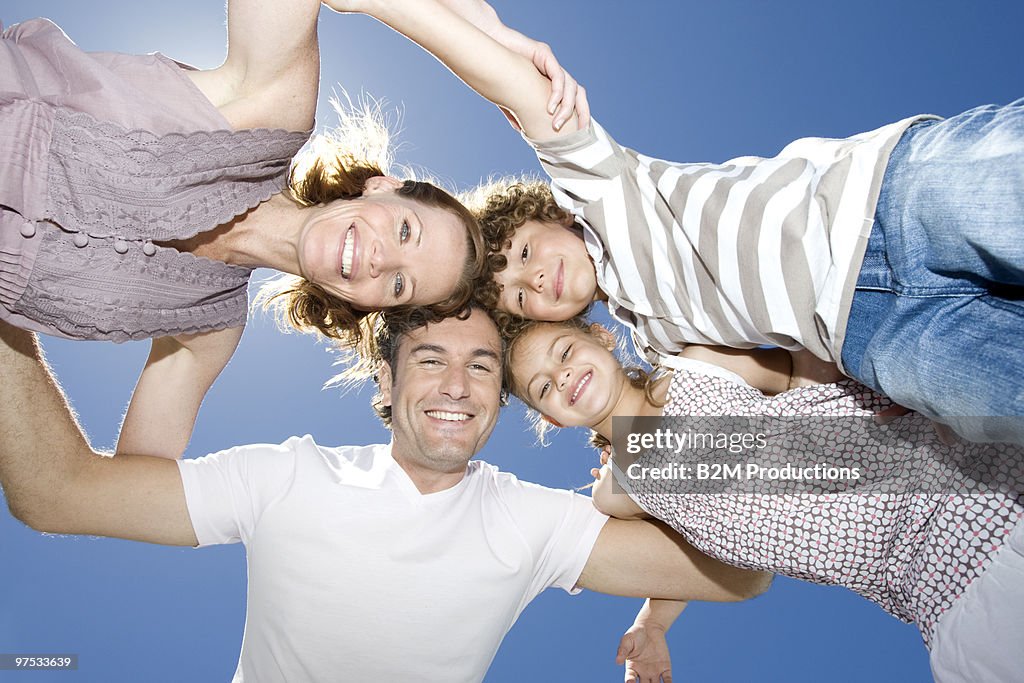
{"x": 644, "y": 650}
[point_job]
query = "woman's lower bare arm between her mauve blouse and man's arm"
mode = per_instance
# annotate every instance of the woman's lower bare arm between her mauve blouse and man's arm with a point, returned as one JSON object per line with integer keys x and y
{"x": 178, "y": 375}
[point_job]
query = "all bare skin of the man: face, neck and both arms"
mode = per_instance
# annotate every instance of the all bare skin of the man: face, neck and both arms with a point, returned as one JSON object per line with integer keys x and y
{"x": 55, "y": 483}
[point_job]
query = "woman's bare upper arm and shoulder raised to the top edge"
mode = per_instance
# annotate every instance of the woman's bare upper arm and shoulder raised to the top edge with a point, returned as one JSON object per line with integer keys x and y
{"x": 271, "y": 77}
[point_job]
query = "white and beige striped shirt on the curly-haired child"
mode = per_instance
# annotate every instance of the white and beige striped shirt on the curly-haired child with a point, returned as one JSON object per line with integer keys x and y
{"x": 747, "y": 253}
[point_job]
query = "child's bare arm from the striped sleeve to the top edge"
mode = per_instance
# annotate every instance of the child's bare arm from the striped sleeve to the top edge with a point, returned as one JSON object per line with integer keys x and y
{"x": 505, "y": 78}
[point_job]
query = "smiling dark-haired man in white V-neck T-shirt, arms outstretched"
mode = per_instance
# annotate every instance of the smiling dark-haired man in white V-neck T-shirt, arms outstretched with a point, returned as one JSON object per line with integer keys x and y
{"x": 394, "y": 563}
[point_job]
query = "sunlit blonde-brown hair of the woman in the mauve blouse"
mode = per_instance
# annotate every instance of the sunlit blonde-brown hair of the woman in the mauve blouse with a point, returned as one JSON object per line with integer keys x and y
{"x": 337, "y": 166}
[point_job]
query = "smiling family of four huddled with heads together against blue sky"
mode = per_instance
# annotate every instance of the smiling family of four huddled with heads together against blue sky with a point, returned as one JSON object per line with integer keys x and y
{"x": 878, "y": 278}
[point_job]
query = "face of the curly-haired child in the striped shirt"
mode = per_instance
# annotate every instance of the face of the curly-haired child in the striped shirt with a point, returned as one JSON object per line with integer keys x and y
{"x": 549, "y": 277}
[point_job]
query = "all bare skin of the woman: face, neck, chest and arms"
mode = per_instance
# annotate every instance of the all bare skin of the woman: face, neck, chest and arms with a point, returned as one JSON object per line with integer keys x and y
{"x": 257, "y": 88}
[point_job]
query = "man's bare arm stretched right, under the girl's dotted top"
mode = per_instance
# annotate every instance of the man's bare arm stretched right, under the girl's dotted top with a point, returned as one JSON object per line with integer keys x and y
{"x": 643, "y": 559}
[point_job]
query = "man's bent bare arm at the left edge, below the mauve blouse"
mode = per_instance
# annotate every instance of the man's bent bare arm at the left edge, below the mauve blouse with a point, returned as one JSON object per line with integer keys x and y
{"x": 56, "y": 483}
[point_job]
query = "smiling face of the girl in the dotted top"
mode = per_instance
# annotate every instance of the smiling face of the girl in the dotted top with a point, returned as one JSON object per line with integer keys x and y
{"x": 570, "y": 375}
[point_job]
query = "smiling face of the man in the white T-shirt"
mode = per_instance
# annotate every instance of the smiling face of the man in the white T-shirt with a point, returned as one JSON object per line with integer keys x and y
{"x": 445, "y": 394}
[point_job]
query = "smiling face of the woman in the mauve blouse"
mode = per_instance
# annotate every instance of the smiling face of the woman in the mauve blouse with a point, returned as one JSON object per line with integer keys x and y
{"x": 385, "y": 250}
